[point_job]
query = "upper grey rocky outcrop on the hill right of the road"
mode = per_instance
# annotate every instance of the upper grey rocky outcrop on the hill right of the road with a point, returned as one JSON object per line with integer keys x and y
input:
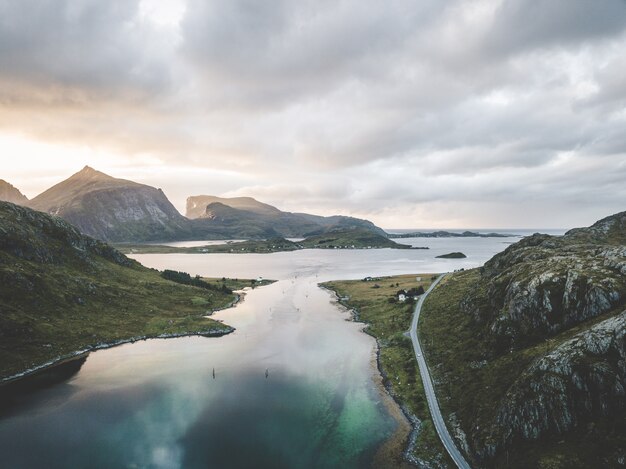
{"x": 544, "y": 285}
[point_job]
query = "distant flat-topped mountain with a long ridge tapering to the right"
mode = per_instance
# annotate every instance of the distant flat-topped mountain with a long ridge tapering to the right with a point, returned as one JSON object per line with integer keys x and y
{"x": 246, "y": 217}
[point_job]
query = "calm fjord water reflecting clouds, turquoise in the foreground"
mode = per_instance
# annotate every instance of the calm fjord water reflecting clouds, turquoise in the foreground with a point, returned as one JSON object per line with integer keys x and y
{"x": 294, "y": 386}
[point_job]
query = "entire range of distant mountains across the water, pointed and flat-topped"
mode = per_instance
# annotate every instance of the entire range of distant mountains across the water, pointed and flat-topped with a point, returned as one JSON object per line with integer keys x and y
{"x": 121, "y": 211}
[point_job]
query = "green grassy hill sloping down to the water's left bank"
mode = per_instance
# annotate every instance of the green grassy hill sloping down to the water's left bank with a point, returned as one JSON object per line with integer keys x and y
{"x": 61, "y": 291}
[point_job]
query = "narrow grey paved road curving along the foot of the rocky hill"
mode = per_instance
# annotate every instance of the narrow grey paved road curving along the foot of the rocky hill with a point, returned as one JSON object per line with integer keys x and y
{"x": 433, "y": 405}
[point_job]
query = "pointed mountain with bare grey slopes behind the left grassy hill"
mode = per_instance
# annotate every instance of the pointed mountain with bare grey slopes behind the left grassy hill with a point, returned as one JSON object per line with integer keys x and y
{"x": 114, "y": 210}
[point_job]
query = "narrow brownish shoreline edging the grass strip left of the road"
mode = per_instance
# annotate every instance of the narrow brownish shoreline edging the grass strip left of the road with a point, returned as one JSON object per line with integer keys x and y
{"x": 405, "y": 436}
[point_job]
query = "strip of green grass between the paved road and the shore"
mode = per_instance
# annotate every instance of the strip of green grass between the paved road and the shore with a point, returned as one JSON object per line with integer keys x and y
{"x": 387, "y": 322}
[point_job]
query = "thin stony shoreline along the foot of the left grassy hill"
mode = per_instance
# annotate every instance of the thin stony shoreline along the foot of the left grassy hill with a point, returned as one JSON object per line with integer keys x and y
{"x": 29, "y": 372}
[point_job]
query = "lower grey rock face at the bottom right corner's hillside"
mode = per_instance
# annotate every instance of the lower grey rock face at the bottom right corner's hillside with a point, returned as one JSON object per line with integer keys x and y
{"x": 580, "y": 381}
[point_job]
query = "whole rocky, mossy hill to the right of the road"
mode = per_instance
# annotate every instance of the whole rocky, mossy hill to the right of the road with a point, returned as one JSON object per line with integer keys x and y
{"x": 534, "y": 367}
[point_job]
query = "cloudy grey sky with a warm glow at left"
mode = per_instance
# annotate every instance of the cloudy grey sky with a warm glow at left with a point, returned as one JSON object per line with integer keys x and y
{"x": 411, "y": 113}
